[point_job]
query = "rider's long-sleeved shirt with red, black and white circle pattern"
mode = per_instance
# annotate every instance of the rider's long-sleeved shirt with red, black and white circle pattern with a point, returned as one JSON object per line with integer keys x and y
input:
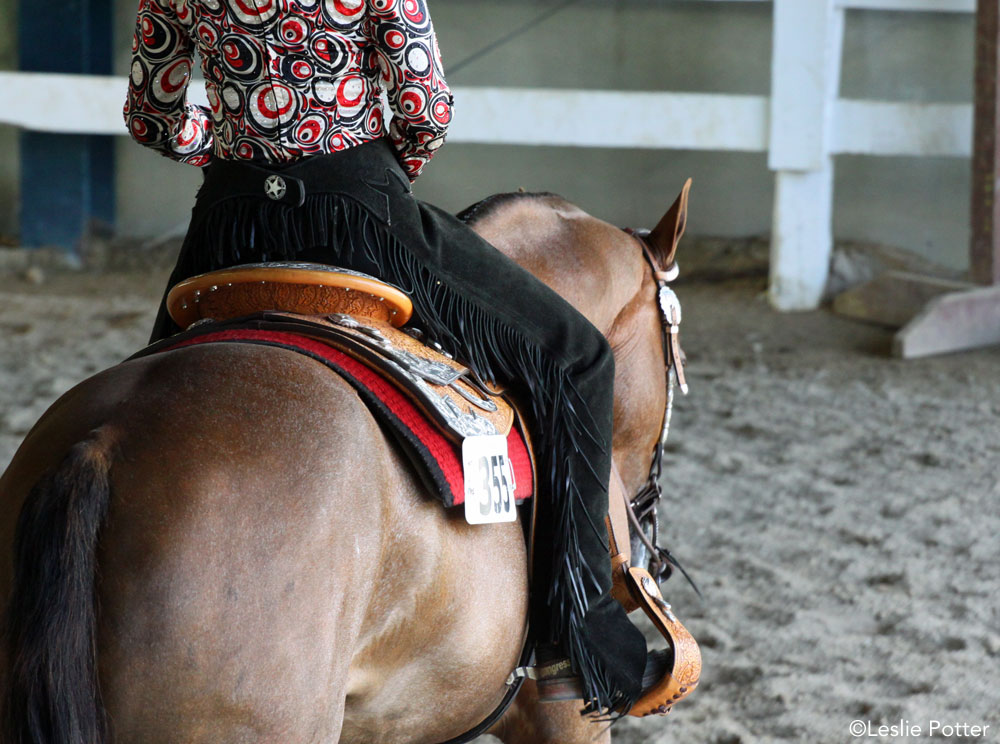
{"x": 287, "y": 78}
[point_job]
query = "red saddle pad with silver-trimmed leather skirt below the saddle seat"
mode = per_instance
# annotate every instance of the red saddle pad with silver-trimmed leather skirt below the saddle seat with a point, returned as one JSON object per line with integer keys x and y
{"x": 426, "y": 401}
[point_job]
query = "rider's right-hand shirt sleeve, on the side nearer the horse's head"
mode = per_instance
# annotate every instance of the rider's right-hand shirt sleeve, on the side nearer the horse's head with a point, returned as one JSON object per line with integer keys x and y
{"x": 413, "y": 76}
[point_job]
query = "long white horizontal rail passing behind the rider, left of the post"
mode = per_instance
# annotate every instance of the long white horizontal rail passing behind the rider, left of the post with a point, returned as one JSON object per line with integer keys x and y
{"x": 520, "y": 116}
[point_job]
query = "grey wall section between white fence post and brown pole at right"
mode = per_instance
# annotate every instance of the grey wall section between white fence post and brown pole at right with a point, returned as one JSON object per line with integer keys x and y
{"x": 919, "y": 204}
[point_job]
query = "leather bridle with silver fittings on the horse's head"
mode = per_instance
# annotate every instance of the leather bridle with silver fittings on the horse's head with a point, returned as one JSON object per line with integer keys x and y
{"x": 642, "y": 509}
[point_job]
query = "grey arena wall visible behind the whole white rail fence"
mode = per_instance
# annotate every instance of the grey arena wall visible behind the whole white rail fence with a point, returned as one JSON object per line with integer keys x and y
{"x": 921, "y": 204}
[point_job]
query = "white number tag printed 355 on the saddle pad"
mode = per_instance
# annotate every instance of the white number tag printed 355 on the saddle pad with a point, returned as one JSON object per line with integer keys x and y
{"x": 489, "y": 480}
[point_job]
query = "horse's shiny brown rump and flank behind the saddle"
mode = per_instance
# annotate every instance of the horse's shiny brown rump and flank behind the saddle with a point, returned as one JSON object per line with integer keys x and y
{"x": 265, "y": 544}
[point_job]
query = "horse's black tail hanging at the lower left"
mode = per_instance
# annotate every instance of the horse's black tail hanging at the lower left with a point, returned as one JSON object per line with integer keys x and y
{"x": 52, "y": 694}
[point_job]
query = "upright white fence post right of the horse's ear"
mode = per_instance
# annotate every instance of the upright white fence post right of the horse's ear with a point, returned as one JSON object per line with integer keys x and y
{"x": 805, "y": 79}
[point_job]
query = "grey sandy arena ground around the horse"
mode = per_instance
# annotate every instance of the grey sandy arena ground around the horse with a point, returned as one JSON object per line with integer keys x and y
{"x": 838, "y": 508}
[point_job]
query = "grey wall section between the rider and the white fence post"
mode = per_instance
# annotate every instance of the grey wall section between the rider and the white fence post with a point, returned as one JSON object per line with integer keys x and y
{"x": 624, "y": 45}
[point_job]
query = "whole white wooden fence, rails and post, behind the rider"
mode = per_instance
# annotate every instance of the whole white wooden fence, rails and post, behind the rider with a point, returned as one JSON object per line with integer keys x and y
{"x": 802, "y": 126}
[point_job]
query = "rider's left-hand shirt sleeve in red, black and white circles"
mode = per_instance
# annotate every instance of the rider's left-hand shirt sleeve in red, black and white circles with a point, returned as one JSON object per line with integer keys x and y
{"x": 156, "y": 111}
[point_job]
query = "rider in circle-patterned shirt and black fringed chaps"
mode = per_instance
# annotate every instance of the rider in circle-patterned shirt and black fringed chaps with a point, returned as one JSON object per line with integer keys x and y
{"x": 294, "y": 88}
